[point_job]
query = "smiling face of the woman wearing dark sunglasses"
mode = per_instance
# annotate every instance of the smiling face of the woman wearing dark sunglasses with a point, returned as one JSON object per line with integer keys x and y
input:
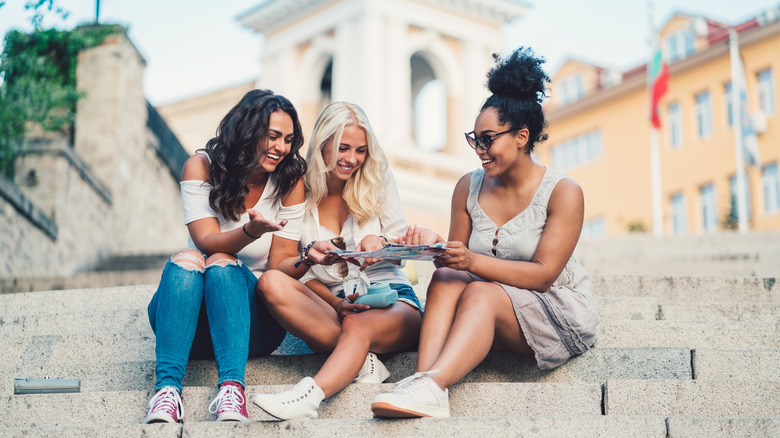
{"x": 505, "y": 149}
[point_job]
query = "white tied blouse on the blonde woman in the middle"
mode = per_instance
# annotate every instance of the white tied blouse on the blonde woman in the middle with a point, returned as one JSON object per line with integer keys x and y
{"x": 390, "y": 223}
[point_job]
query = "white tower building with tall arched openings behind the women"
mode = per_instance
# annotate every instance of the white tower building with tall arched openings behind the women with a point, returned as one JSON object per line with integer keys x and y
{"x": 386, "y": 56}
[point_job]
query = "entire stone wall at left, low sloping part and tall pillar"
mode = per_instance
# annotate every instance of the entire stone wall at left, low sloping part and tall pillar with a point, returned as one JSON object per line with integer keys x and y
{"x": 110, "y": 193}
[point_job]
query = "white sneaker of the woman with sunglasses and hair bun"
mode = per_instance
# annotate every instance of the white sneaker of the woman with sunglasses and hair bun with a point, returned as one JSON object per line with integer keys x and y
{"x": 415, "y": 396}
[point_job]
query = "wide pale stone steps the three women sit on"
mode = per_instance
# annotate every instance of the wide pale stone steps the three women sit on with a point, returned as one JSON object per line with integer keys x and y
{"x": 675, "y": 357}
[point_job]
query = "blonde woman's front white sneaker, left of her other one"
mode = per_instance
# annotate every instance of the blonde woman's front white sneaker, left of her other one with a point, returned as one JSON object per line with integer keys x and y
{"x": 302, "y": 401}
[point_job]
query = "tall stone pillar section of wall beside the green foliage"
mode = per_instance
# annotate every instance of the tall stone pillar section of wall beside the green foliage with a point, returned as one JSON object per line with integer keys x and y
{"x": 113, "y": 138}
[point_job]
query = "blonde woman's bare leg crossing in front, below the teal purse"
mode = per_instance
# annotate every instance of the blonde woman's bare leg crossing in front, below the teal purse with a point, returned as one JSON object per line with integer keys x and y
{"x": 395, "y": 328}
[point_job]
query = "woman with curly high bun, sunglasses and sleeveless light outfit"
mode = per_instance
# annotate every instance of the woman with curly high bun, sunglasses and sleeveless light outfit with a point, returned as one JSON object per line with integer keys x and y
{"x": 507, "y": 280}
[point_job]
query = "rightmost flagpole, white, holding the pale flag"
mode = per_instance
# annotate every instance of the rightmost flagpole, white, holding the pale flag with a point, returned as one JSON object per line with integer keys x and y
{"x": 736, "y": 123}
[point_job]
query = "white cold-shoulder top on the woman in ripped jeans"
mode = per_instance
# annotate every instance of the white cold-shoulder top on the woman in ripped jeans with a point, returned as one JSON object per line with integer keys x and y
{"x": 195, "y": 202}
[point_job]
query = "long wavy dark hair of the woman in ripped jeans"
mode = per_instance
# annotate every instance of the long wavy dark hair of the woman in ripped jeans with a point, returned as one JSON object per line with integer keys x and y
{"x": 234, "y": 153}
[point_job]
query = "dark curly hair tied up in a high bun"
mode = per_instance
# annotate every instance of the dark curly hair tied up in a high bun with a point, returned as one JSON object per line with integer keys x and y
{"x": 518, "y": 85}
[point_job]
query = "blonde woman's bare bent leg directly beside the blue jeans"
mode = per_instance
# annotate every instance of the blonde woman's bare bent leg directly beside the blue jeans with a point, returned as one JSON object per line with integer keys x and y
{"x": 299, "y": 310}
